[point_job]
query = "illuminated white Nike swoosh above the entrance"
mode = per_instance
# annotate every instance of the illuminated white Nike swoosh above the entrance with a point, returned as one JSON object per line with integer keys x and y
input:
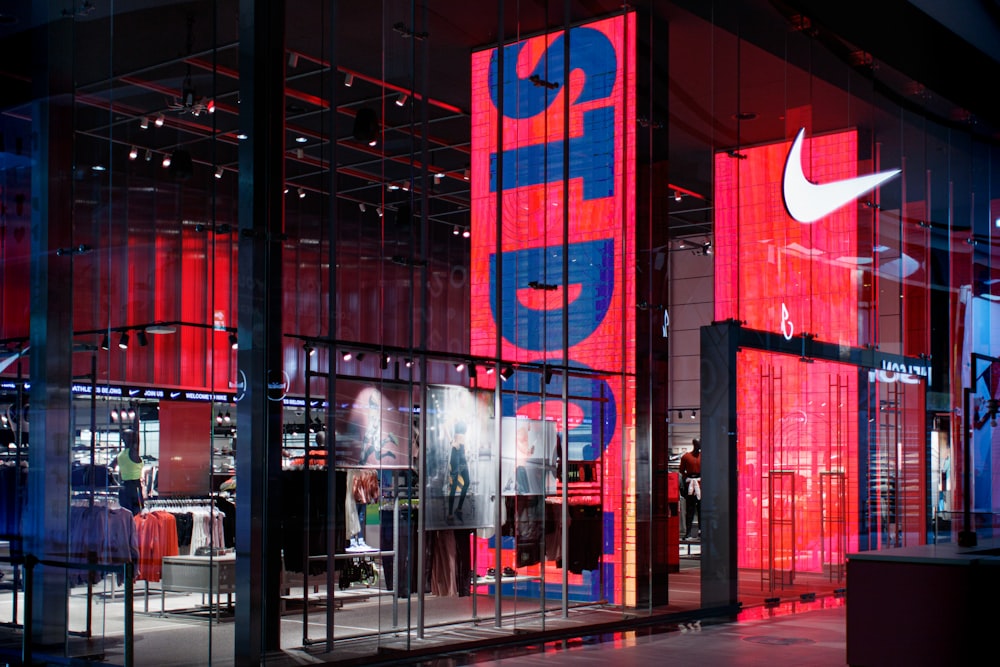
{"x": 806, "y": 201}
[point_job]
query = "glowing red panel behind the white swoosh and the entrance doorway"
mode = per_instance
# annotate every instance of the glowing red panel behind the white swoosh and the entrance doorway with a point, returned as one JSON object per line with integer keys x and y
{"x": 798, "y": 422}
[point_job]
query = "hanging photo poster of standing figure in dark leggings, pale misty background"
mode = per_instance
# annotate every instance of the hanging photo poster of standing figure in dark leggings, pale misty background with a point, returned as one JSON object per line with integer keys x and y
{"x": 461, "y": 456}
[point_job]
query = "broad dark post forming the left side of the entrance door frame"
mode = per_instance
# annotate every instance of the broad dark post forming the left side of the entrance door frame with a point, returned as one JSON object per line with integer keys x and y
{"x": 719, "y": 345}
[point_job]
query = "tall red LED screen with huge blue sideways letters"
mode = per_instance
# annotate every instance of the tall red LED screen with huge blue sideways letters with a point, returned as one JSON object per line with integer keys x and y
{"x": 567, "y": 136}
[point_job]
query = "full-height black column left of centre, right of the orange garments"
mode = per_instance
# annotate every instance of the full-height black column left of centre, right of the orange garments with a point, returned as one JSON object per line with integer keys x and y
{"x": 261, "y": 223}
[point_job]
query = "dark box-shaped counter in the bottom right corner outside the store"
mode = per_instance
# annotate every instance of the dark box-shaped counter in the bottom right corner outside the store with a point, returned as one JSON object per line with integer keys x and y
{"x": 922, "y": 605}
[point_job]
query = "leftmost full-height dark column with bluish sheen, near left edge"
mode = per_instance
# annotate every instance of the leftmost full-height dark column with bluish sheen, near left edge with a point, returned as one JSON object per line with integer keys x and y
{"x": 51, "y": 345}
